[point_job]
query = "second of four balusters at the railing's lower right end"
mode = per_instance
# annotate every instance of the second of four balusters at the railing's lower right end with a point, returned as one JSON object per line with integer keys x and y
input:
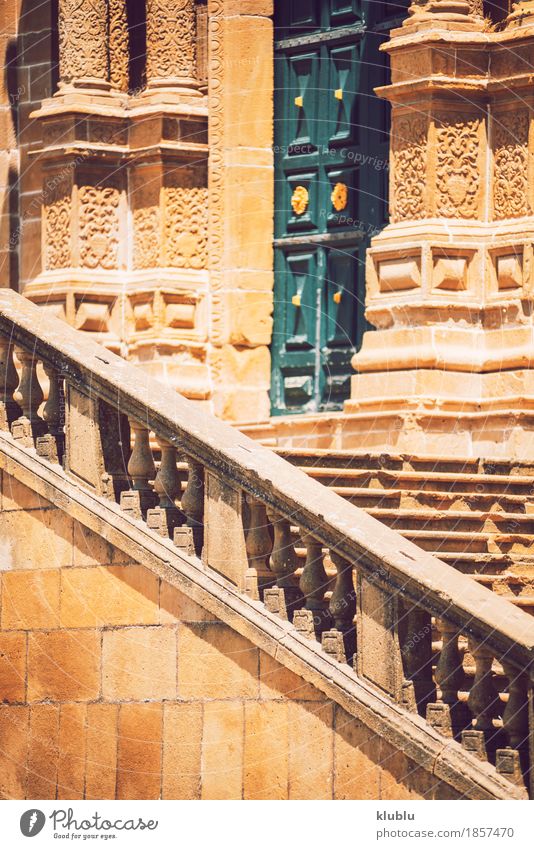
{"x": 447, "y": 714}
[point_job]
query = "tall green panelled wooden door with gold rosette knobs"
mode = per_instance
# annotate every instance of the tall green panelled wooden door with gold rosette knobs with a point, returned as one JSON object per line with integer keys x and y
{"x": 331, "y": 172}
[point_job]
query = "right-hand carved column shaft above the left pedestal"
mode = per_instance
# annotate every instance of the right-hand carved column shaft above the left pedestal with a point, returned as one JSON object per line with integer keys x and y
{"x": 171, "y": 61}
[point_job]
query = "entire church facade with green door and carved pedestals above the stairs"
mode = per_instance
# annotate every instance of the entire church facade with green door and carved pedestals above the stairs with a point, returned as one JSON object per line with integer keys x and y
{"x": 315, "y": 218}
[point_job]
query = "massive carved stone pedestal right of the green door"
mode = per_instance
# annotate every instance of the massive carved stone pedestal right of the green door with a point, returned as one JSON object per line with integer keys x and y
{"x": 450, "y": 279}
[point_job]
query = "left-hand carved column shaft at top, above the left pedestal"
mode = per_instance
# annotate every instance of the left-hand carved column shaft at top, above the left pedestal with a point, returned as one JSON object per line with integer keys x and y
{"x": 83, "y": 39}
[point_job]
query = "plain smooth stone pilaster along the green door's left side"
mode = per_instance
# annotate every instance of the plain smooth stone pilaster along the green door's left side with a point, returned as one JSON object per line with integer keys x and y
{"x": 241, "y": 205}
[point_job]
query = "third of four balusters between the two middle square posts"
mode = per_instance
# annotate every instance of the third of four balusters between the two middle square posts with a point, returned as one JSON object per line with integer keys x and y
{"x": 315, "y": 617}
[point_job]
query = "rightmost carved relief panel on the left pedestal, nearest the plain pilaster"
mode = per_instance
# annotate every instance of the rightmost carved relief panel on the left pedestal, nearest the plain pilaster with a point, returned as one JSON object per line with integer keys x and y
{"x": 185, "y": 227}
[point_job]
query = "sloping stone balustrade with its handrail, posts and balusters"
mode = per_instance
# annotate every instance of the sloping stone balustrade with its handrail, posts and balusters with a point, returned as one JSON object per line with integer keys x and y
{"x": 252, "y": 516}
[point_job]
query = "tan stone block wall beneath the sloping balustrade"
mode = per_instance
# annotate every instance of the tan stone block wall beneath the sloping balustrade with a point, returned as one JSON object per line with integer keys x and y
{"x": 113, "y": 684}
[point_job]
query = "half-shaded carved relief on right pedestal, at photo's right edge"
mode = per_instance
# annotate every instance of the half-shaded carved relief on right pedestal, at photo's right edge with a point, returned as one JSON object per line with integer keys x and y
{"x": 510, "y": 164}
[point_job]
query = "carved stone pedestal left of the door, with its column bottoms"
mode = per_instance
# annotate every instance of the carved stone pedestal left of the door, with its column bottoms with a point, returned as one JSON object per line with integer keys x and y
{"x": 124, "y": 201}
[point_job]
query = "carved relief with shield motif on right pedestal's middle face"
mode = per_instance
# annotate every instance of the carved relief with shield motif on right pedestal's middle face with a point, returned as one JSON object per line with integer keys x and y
{"x": 457, "y": 172}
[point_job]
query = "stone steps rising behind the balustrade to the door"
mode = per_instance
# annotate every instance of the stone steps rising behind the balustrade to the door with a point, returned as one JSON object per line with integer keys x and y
{"x": 476, "y": 515}
